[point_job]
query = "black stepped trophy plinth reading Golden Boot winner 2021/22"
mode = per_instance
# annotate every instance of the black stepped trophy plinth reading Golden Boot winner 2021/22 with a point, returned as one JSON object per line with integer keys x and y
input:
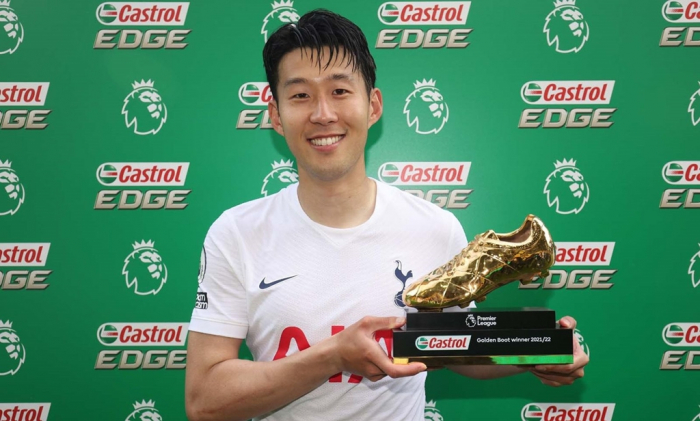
{"x": 514, "y": 336}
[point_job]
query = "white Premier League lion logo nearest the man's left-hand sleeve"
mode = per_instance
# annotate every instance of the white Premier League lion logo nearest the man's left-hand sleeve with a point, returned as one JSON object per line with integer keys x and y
{"x": 144, "y": 269}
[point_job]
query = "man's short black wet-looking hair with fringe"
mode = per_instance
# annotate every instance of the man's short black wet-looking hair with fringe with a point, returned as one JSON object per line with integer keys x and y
{"x": 315, "y": 30}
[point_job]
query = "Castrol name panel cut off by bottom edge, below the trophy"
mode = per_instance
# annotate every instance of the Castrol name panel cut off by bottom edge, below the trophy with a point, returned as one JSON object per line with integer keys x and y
{"x": 568, "y": 412}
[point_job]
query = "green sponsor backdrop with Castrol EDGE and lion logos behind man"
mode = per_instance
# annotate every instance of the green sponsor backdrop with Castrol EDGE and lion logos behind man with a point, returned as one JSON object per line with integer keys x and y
{"x": 128, "y": 128}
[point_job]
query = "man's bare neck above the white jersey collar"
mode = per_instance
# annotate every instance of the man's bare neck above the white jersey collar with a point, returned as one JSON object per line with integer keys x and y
{"x": 342, "y": 203}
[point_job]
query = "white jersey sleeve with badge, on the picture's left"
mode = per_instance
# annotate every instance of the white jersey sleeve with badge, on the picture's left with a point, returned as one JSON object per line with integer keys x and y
{"x": 221, "y": 307}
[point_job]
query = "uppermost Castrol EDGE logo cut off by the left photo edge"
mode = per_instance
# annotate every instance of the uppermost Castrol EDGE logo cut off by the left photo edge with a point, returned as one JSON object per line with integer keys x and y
{"x": 21, "y": 95}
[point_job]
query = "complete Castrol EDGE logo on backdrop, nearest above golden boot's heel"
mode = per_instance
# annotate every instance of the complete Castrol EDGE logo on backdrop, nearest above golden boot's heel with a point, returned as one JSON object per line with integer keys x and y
{"x": 559, "y": 93}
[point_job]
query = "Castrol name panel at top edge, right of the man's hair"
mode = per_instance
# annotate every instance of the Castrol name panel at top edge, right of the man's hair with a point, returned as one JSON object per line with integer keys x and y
{"x": 424, "y": 12}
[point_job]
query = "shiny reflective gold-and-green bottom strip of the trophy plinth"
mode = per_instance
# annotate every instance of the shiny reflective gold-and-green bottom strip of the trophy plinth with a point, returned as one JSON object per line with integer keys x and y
{"x": 487, "y": 360}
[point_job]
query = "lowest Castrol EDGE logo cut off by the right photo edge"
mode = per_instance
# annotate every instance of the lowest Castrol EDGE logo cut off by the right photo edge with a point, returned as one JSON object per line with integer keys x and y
{"x": 686, "y": 335}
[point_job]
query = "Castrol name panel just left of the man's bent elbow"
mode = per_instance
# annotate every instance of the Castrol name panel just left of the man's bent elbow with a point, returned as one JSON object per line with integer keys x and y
{"x": 142, "y": 334}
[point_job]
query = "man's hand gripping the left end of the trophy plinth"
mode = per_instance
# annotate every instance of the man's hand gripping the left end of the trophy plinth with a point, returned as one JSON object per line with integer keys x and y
{"x": 359, "y": 353}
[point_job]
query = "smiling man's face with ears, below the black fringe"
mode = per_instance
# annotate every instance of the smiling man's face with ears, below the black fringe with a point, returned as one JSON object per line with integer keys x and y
{"x": 324, "y": 114}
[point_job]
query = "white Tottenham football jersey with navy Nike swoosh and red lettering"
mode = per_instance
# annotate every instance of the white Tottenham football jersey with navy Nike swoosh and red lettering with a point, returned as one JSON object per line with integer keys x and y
{"x": 284, "y": 282}
